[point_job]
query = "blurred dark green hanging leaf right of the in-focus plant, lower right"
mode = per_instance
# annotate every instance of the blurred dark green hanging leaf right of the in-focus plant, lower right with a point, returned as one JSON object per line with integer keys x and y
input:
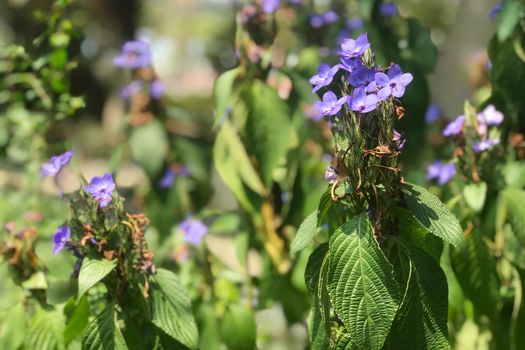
{"x": 476, "y": 272}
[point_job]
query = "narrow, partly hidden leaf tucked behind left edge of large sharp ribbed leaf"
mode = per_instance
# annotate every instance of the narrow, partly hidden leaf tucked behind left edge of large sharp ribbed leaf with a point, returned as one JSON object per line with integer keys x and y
{"x": 319, "y": 338}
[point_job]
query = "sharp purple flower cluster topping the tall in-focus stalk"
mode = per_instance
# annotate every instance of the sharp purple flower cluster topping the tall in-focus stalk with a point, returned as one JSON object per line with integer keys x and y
{"x": 370, "y": 85}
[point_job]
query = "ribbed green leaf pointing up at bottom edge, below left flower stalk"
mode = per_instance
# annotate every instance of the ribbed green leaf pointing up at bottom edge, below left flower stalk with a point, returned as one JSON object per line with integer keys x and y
{"x": 103, "y": 333}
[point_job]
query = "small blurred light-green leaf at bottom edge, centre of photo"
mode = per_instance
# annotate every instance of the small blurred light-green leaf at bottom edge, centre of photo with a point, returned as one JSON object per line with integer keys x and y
{"x": 238, "y": 328}
